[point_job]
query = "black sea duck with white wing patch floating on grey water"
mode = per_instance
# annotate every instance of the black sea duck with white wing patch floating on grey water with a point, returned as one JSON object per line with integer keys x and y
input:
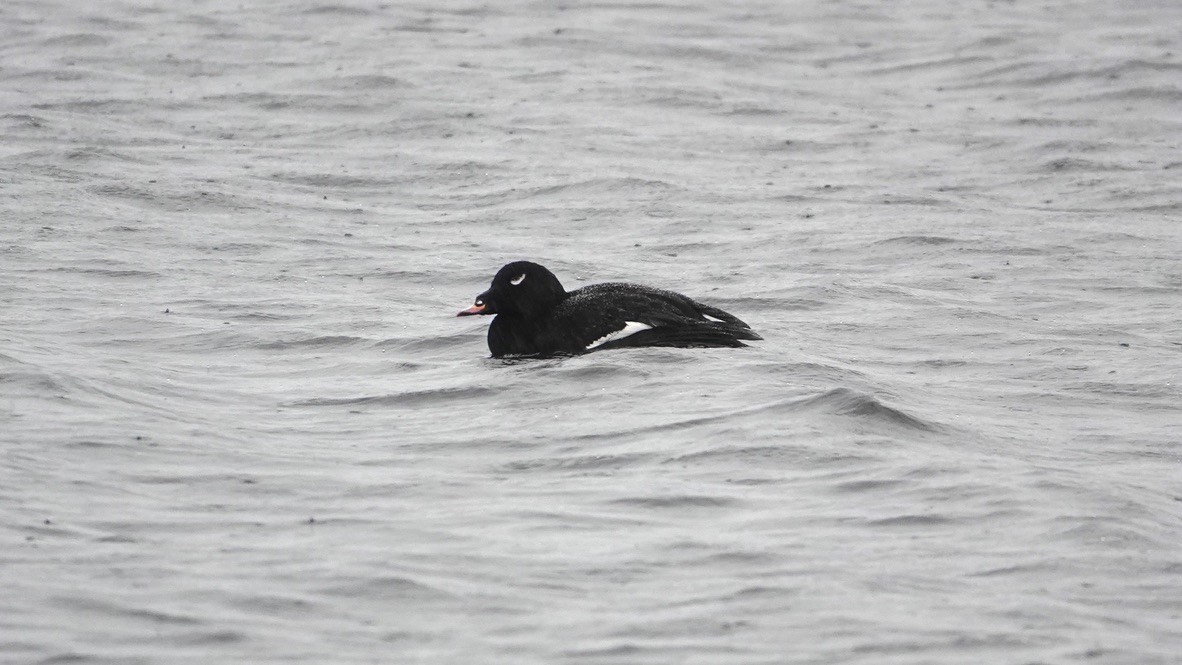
{"x": 535, "y": 316}
